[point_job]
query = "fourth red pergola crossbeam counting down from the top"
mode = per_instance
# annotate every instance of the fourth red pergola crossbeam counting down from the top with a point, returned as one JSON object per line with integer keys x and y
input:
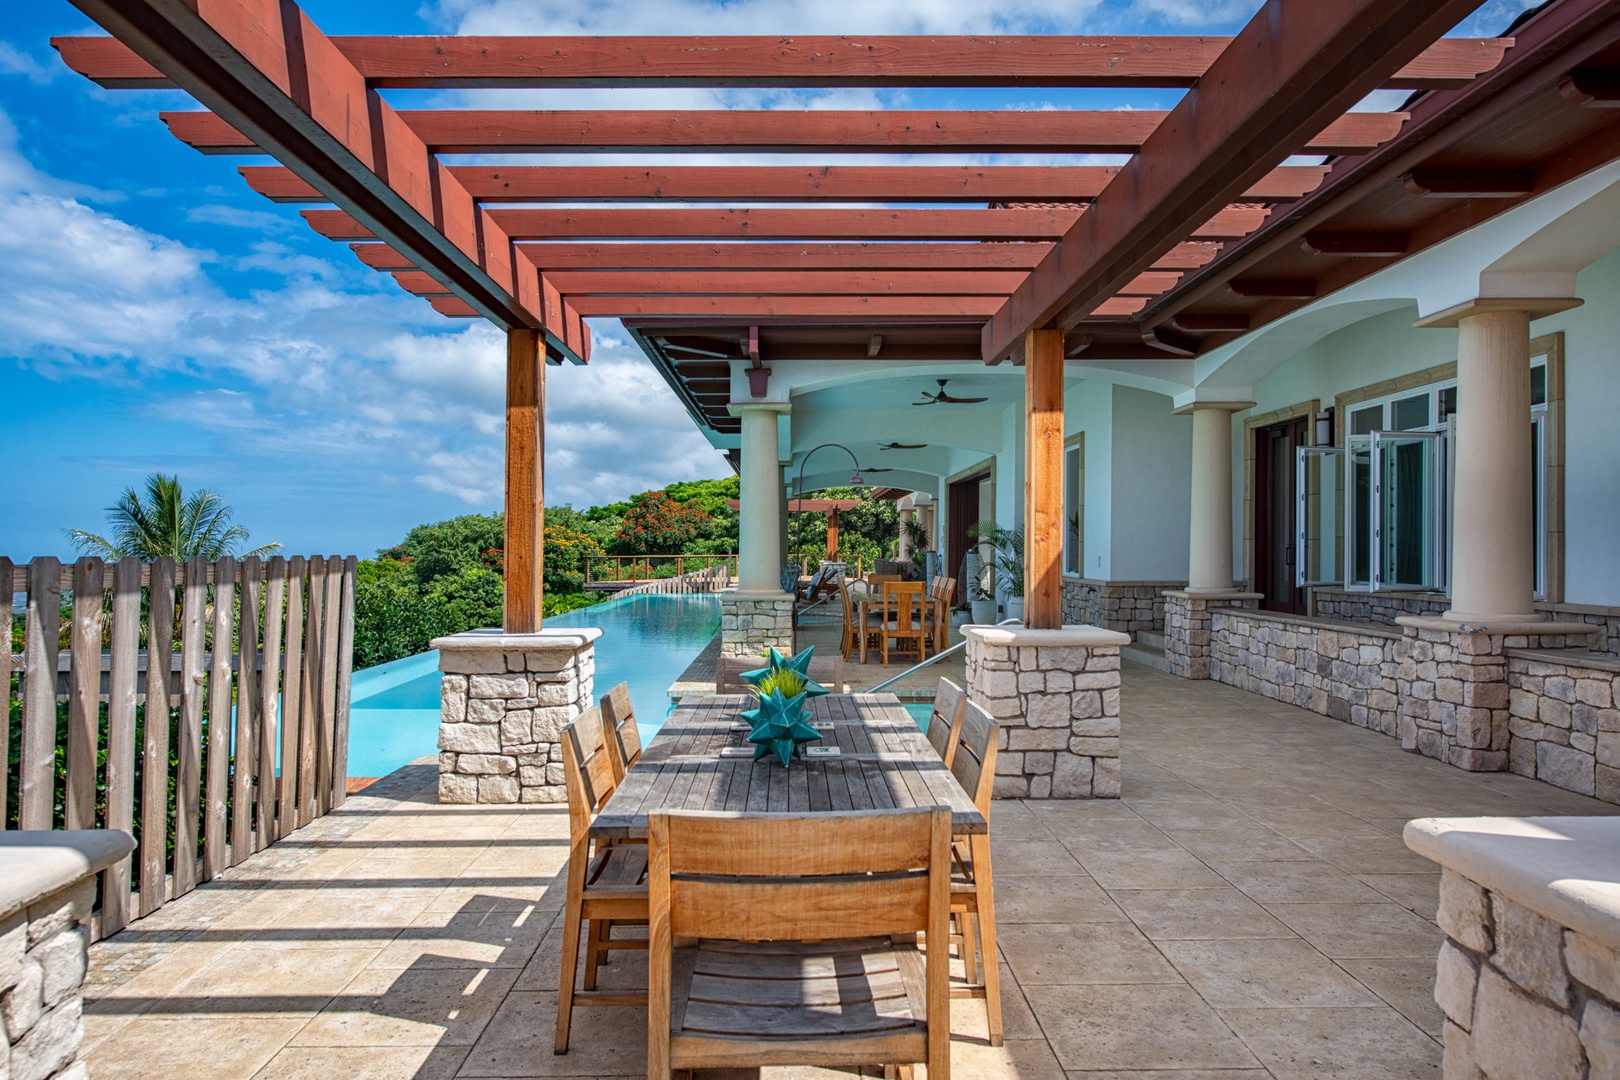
{"x": 691, "y": 224}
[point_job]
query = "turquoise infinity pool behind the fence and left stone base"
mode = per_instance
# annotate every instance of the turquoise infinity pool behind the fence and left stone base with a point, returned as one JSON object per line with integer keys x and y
{"x": 647, "y": 642}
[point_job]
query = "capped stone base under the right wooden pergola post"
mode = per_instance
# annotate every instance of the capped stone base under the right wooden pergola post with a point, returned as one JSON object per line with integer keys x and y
{"x": 1057, "y": 697}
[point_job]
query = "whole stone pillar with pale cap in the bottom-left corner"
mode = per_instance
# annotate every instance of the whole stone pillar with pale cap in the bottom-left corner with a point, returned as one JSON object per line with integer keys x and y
{"x": 48, "y": 885}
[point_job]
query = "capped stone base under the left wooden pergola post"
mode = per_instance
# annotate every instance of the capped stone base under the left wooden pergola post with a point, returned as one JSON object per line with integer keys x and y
{"x": 505, "y": 700}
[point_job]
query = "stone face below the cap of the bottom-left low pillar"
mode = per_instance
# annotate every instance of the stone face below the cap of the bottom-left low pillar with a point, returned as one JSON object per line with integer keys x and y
{"x": 43, "y": 955}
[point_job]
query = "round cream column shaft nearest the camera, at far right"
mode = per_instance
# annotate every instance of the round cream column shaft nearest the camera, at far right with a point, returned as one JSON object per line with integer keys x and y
{"x": 1493, "y": 545}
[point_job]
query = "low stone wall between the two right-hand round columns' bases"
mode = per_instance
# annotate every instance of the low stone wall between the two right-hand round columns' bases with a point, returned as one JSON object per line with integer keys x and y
{"x": 1336, "y": 670}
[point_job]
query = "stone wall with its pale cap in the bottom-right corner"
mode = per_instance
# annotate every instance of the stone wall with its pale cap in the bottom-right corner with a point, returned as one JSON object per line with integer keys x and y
{"x": 1528, "y": 974}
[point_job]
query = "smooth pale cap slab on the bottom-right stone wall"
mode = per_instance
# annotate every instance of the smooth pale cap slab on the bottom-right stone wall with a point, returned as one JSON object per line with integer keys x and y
{"x": 1564, "y": 869}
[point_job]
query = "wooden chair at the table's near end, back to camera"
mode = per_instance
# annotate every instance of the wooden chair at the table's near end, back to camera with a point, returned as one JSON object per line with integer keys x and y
{"x": 798, "y": 924}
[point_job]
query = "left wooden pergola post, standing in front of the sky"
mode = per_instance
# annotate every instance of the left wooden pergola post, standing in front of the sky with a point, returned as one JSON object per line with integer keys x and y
{"x": 526, "y": 501}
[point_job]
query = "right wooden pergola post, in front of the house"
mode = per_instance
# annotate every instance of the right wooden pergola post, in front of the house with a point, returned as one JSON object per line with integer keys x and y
{"x": 1044, "y": 480}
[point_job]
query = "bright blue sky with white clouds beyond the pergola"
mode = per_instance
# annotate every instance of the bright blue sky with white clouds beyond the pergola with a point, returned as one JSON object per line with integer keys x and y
{"x": 160, "y": 317}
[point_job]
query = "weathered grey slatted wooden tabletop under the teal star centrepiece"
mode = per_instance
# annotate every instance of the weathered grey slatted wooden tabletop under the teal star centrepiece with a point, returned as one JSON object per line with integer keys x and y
{"x": 702, "y": 760}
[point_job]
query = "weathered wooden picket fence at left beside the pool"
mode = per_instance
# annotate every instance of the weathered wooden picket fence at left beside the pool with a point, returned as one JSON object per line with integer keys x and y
{"x": 208, "y": 752}
